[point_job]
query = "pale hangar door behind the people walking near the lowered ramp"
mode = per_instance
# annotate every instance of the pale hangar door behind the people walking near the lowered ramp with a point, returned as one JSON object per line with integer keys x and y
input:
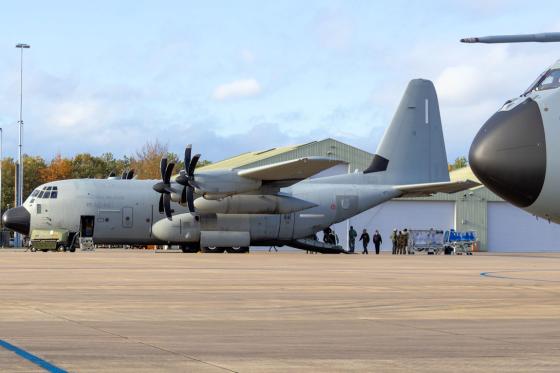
{"x": 400, "y": 214}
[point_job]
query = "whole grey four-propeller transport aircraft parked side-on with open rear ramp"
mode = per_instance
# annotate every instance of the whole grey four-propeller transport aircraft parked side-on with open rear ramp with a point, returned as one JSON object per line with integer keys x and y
{"x": 270, "y": 205}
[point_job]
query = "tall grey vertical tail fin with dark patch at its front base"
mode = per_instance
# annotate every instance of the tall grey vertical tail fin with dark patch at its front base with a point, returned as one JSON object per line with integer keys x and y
{"x": 412, "y": 150}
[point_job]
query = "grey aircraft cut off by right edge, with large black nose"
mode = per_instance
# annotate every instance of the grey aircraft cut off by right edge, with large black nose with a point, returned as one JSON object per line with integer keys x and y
{"x": 515, "y": 154}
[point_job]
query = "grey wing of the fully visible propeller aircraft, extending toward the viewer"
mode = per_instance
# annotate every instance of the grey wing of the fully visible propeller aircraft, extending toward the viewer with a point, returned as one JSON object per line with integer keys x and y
{"x": 290, "y": 171}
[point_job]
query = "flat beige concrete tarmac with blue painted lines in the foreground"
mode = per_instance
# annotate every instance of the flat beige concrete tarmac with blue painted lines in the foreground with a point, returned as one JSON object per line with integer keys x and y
{"x": 140, "y": 311}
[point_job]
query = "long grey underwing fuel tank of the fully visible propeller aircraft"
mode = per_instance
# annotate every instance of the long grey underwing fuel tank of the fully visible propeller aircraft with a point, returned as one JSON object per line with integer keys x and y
{"x": 252, "y": 204}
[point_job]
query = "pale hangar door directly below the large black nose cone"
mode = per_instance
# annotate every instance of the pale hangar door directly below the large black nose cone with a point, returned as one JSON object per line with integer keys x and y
{"x": 513, "y": 229}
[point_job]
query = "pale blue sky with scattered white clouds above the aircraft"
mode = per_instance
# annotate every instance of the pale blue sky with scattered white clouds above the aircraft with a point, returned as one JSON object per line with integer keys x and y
{"x": 233, "y": 76}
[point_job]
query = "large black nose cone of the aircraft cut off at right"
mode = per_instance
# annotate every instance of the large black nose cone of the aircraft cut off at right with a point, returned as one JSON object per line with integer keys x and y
{"x": 509, "y": 154}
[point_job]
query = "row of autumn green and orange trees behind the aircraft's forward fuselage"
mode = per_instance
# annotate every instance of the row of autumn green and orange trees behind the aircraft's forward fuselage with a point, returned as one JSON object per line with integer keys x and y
{"x": 145, "y": 163}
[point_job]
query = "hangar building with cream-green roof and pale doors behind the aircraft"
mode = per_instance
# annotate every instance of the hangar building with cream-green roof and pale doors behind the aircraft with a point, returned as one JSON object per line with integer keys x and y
{"x": 501, "y": 227}
